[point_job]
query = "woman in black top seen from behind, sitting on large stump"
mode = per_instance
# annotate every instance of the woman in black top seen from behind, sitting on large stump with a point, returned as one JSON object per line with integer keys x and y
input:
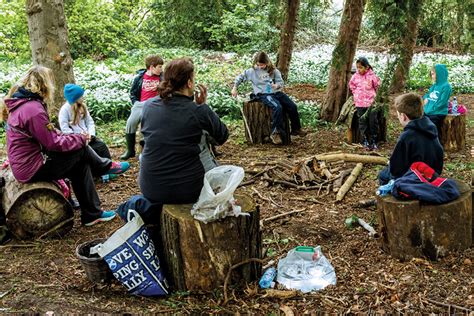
{"x": 174, "y": 126}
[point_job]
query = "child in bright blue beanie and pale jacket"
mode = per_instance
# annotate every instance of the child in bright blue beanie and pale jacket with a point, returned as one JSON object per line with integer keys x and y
{"x": 74, "y": 118}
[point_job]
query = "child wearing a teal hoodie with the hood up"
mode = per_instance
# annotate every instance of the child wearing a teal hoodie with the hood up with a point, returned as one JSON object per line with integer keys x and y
{"x": 437, "y": 98}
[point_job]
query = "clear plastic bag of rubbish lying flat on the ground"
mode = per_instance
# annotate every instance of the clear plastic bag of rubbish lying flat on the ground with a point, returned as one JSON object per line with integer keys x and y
{"x": 305, "y": 269}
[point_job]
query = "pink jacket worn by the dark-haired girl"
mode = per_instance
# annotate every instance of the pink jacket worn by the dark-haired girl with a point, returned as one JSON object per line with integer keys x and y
{"x": 364, "y": 87}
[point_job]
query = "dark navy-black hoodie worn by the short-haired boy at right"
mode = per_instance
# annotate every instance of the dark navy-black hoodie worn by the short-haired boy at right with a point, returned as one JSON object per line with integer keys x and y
{"x": 418, "y": 142}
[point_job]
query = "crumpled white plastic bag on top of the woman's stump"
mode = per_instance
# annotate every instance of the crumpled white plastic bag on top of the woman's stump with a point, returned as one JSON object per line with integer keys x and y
{"x": 217, "y": 195}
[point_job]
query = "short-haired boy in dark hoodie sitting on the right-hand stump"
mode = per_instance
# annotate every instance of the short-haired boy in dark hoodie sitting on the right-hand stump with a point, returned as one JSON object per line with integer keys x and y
{"x": 418, "y": 141}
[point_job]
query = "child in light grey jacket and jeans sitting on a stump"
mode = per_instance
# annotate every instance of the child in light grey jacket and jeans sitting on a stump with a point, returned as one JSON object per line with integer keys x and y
{"x": 267, "y": 84}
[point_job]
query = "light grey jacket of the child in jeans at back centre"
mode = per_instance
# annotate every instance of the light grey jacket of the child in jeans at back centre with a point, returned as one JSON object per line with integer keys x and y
{"x": 260, "y": 79}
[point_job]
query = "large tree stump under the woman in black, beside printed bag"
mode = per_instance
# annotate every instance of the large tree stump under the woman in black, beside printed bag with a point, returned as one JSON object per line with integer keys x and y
{"x": 197, "y": 256}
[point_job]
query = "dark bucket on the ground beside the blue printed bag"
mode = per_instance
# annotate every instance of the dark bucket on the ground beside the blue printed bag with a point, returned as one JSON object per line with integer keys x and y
{"x": 95, "y": 267}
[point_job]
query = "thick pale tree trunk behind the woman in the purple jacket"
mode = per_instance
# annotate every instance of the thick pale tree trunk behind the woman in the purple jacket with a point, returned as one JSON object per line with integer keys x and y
{"x": 49, "y": 44}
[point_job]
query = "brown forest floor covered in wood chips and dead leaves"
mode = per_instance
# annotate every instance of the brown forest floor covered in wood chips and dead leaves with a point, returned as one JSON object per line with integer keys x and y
{"x": 45, "y": 276}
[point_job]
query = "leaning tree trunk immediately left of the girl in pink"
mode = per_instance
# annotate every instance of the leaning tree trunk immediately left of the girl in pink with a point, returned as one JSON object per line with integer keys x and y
{"x": 342, "y": 57}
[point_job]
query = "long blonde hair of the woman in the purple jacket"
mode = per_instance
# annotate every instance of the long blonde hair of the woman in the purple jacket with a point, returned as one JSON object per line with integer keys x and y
{"x": 39, "y": 80}
